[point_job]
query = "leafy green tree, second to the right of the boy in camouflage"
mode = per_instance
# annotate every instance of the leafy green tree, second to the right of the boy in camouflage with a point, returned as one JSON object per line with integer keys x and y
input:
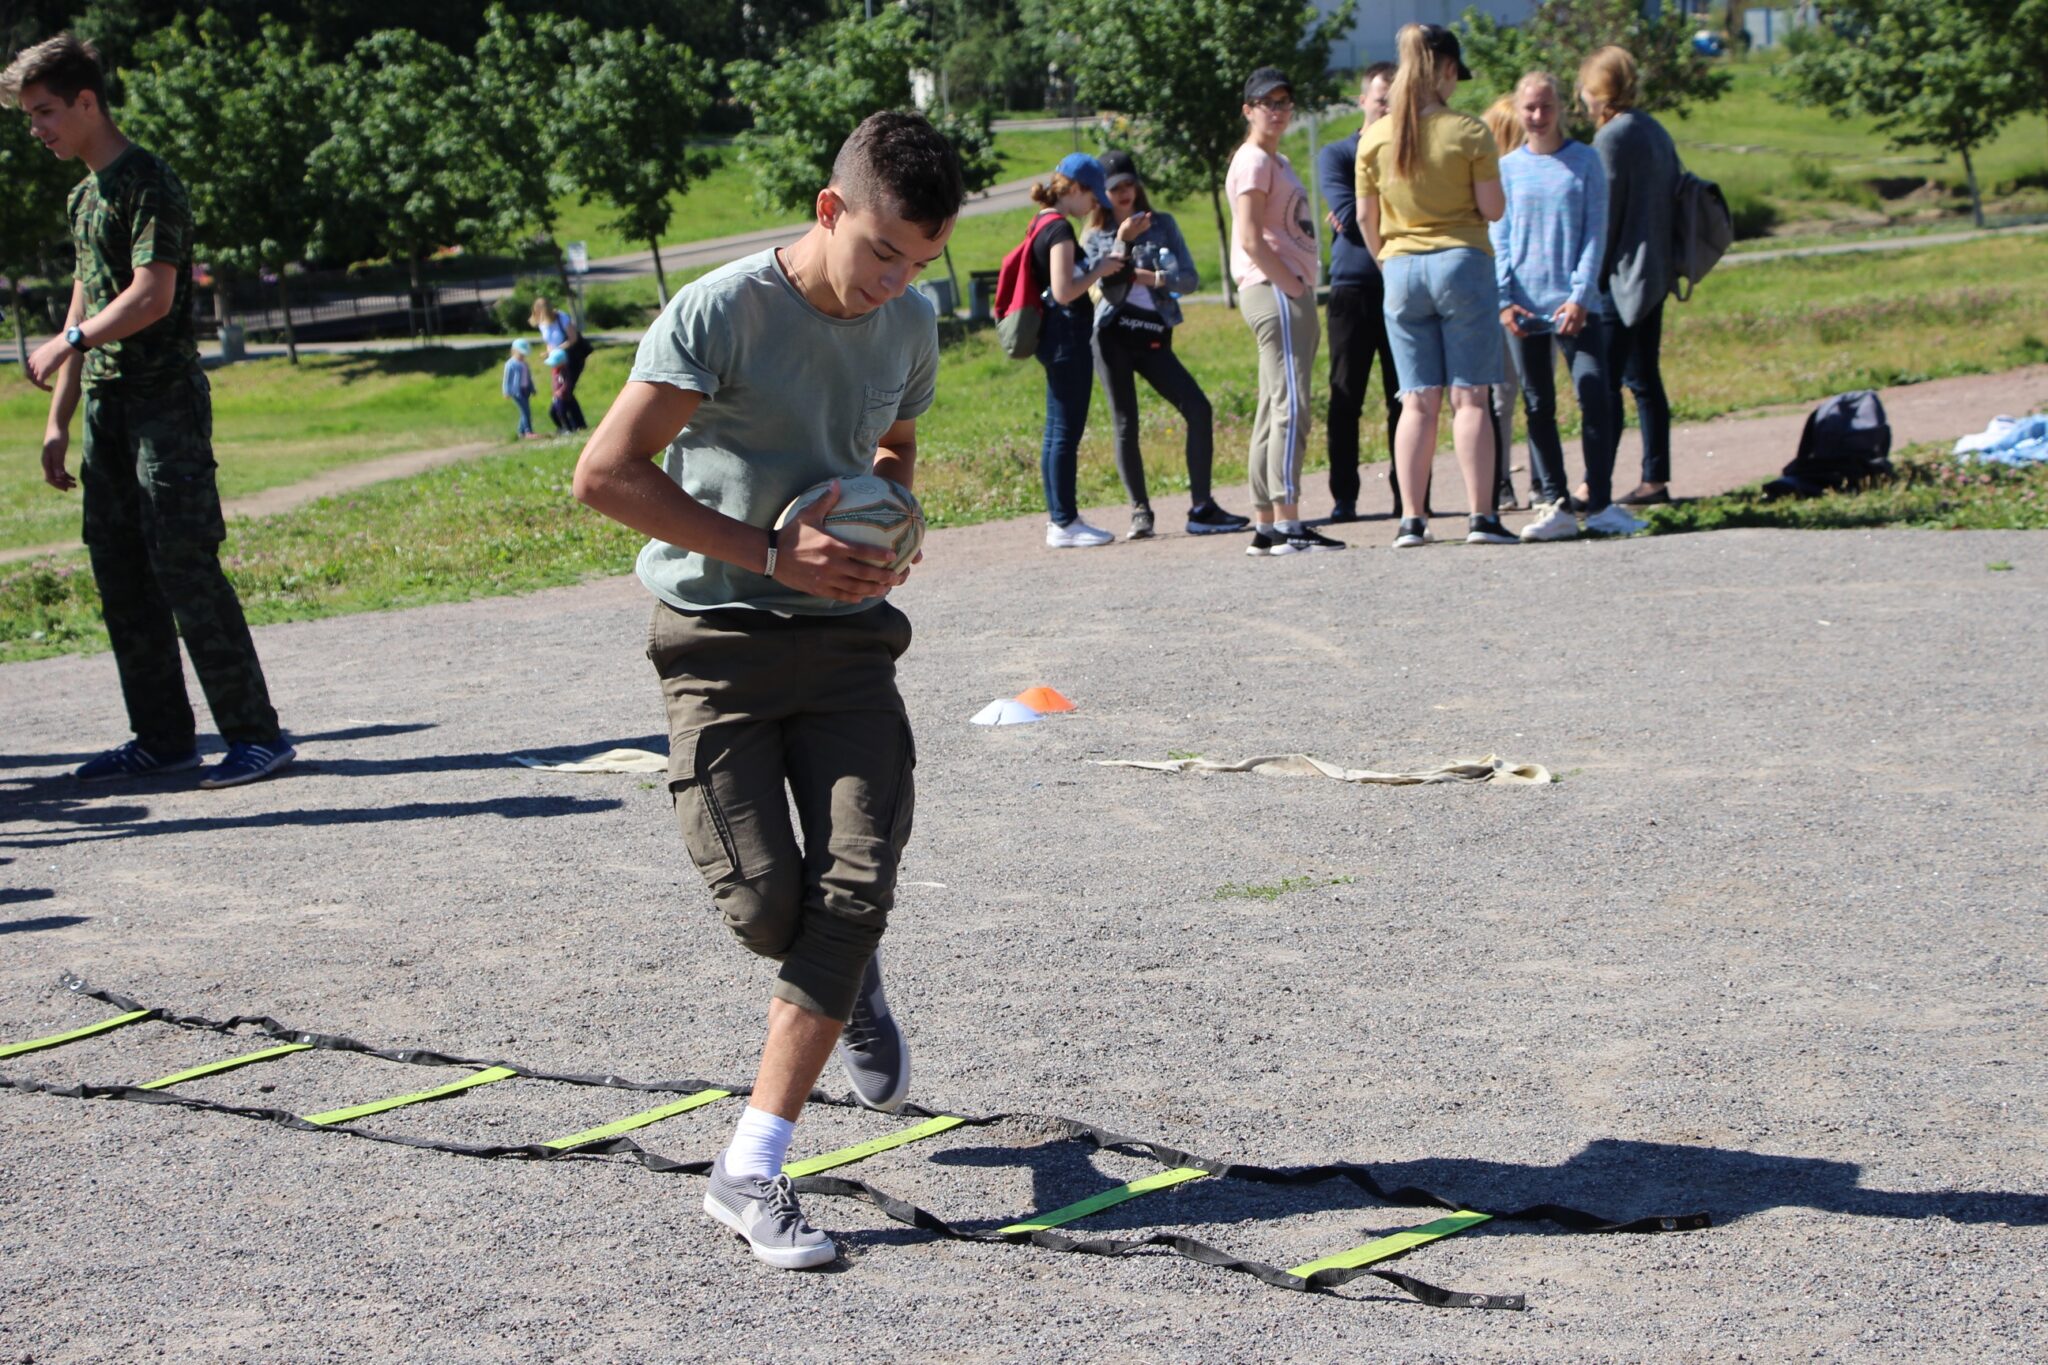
{"x": 402, "y": 165}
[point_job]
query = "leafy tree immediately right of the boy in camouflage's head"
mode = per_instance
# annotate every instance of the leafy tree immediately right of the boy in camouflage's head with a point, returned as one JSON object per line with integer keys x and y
{"x": 239, "y": 122}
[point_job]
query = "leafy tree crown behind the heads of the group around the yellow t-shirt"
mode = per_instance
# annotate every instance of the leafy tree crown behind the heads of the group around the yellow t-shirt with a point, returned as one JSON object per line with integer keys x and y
{"x": 1564, "y": 34}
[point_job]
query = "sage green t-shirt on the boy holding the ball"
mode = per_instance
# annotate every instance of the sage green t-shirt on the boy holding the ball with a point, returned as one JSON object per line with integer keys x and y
{"x": 792, "y": 398}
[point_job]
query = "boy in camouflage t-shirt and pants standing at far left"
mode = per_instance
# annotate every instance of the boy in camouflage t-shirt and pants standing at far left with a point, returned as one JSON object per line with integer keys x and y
{"x": 153, "y": 517}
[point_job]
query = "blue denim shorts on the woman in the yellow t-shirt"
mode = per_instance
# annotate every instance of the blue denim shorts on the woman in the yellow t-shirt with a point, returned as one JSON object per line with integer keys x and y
{"x": 1445, "y": 320}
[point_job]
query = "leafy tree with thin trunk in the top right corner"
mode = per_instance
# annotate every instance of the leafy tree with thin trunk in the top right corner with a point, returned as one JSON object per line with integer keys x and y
{"x": 1930, "y": 73}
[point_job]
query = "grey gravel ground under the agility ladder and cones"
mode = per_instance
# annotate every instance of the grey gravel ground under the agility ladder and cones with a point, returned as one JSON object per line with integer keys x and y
{"x": 1773, "y": 949}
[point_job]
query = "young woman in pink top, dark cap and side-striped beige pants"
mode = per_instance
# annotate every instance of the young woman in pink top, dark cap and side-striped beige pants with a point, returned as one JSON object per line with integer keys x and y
{"x": 1273, "y": 257}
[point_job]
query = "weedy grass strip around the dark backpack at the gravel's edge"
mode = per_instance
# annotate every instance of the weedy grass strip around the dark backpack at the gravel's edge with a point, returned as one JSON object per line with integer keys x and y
{"x": 1928, "y": 490}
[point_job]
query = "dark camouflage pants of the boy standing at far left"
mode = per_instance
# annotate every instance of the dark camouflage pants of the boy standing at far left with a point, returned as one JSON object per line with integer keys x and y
{"x": 155, "y": 531}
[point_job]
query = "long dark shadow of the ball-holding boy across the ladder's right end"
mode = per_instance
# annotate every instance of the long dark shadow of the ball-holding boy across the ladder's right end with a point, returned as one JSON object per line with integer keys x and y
{"x": 1611, "y": 1178}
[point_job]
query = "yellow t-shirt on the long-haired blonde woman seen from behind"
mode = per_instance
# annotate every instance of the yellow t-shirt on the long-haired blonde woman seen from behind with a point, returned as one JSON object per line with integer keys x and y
{"x": 1433, "y": 210}
